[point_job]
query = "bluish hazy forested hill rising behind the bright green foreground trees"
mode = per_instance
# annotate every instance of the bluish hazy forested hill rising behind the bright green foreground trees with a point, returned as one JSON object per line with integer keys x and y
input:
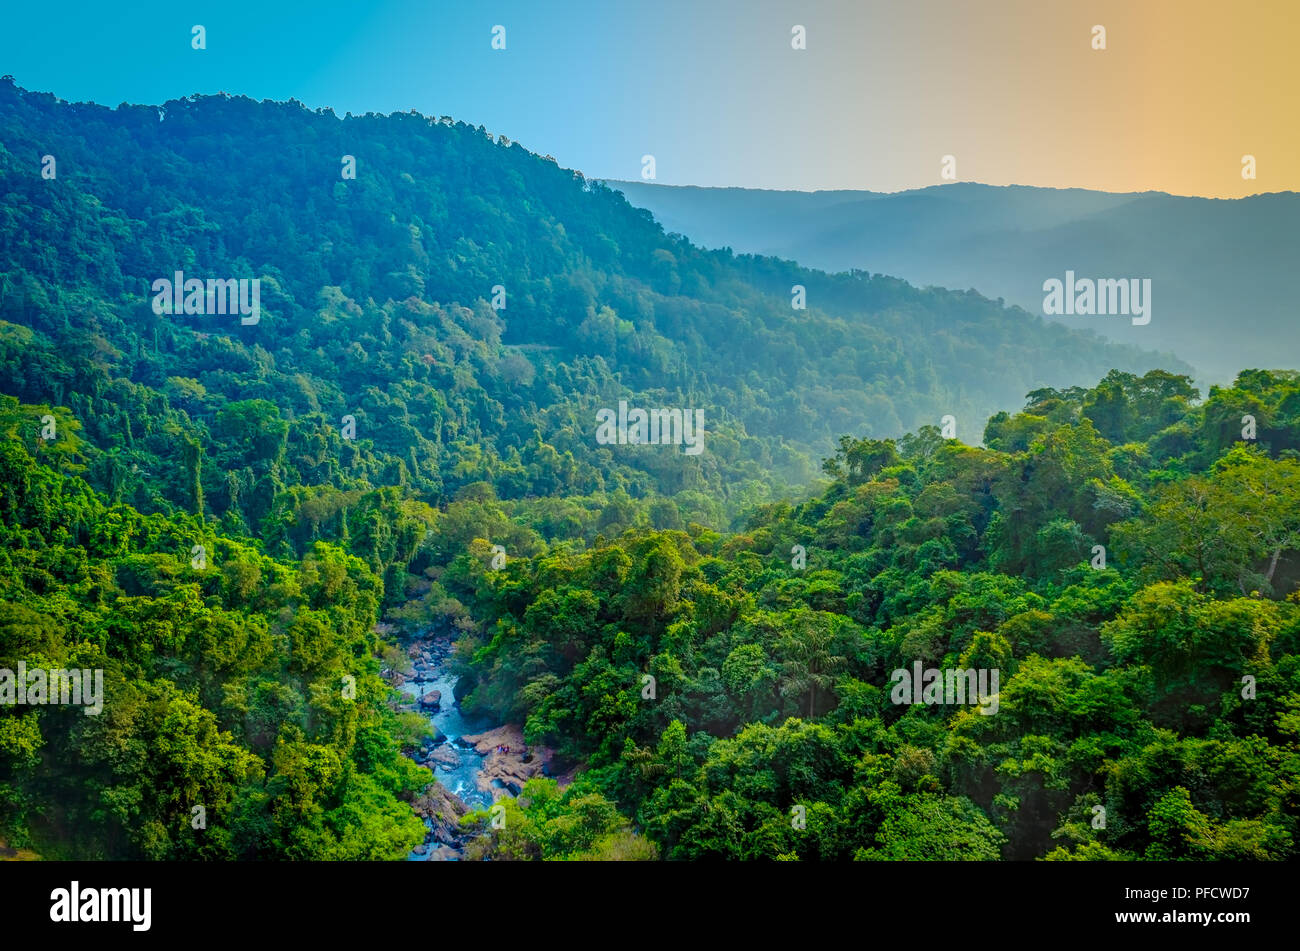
{"x": 375, "y": 305}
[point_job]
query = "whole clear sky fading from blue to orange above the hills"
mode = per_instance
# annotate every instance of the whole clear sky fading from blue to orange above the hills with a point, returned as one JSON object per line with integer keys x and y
{"x": 713, "y": 89}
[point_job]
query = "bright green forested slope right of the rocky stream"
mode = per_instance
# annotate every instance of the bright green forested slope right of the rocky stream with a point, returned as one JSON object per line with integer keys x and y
{"x": 1119, "y": 554}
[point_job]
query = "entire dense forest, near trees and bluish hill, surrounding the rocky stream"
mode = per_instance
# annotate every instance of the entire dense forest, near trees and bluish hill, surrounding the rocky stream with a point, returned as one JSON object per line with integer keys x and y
{"x": 218, "y": 516}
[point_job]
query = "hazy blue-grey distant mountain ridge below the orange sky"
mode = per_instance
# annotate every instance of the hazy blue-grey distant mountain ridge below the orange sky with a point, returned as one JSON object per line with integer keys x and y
{"x": 1221, "y": 270}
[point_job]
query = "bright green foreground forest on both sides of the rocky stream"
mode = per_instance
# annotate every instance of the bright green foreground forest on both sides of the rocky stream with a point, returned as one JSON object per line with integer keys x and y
{"x": 1149, "y": 702}
